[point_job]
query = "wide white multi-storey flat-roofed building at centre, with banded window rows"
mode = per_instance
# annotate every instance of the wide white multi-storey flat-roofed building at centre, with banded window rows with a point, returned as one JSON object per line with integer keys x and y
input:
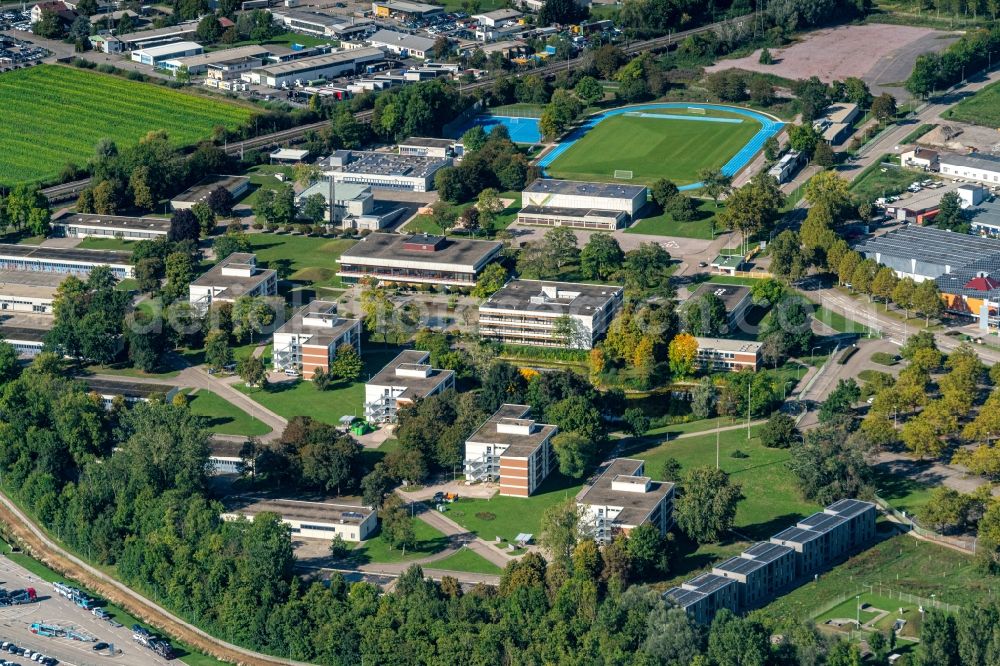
{"x": 549, "y": 314}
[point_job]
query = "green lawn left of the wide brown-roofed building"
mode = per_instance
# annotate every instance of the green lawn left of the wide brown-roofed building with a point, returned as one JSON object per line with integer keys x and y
{"x": 301, "y": 259}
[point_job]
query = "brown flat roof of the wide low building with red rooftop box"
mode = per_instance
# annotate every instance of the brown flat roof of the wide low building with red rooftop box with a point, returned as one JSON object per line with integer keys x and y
{"x": 459, "y": 251}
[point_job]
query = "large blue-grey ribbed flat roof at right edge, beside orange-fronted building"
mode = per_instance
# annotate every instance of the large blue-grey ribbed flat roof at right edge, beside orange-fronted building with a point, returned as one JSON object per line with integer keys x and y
{"x": 930, "y": 245}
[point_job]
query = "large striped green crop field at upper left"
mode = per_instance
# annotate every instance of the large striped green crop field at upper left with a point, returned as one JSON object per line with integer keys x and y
{"x": 54, "y": 115}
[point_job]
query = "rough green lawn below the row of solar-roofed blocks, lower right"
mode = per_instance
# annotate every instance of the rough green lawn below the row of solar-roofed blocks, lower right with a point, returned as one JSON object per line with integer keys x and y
{"x": 900, "y": 564}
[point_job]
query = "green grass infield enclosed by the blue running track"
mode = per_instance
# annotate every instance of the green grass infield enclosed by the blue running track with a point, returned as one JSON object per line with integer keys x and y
{"x": 654, "y": 148}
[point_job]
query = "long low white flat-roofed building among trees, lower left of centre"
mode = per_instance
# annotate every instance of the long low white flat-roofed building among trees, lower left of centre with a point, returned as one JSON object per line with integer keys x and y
{"x": 310, "y": 520}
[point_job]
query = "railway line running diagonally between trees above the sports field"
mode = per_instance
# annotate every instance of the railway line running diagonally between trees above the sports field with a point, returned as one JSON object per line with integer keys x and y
{"x": 67, "y": 191}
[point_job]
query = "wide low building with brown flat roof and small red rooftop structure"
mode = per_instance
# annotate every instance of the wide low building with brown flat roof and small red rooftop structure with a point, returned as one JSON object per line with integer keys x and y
{"x": 420, "y": 259}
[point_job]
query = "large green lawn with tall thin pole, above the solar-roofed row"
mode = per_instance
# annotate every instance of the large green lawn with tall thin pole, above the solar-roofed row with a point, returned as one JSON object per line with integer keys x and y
{"x": 772, "y": 499}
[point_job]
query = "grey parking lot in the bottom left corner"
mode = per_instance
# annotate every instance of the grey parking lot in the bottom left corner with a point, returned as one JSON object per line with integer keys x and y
{"x": 51, "y": 609}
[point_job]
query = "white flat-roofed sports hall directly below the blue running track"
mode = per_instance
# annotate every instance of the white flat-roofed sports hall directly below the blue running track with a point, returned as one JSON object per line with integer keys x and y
{"x": 570, "y": 203}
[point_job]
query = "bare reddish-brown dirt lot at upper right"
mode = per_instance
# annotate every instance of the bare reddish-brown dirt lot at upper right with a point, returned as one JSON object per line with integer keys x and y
{"x": 883, "y": 55}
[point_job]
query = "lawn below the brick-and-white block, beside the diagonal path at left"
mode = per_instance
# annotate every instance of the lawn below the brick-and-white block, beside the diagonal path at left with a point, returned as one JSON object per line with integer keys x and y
{"x": 302, "y": 398}
